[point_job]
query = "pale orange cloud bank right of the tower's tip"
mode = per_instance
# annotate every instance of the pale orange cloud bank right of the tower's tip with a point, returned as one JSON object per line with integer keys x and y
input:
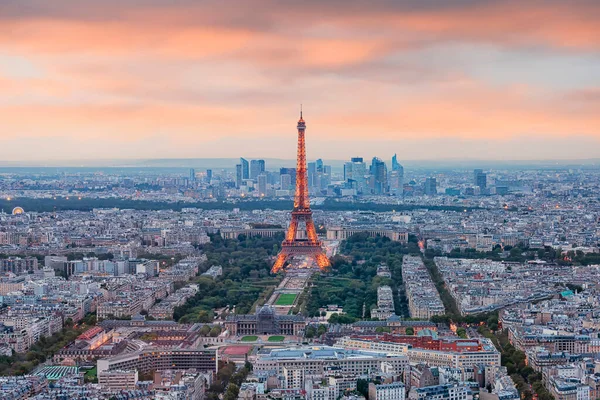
{"x": 466, "y": 110}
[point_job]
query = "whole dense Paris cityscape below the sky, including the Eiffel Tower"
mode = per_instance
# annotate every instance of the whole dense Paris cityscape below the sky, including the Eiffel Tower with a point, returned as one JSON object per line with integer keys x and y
{"x": 449, "y": 284}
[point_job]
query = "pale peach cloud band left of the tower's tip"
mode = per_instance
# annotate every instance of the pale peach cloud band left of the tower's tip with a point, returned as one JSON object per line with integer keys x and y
{"x": 129, "y": 122}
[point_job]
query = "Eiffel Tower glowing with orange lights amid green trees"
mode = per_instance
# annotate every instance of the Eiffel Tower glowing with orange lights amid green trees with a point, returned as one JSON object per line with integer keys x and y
{"x": 292, "y": 246}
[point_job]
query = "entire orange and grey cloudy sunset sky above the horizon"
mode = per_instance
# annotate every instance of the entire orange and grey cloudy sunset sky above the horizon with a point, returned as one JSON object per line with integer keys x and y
{"x": 82, "y": 80}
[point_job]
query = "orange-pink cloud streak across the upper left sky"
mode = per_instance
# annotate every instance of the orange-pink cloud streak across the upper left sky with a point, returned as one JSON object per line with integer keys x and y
{"x": 47, "y": 36}
